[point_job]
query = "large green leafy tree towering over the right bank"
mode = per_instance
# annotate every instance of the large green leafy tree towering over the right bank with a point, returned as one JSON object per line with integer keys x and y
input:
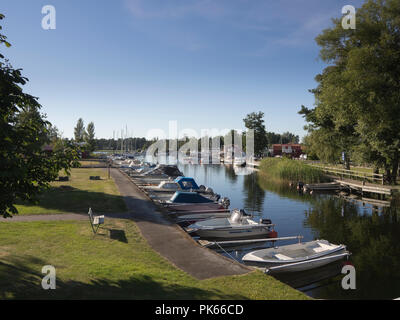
{"x": 358, "y": 94}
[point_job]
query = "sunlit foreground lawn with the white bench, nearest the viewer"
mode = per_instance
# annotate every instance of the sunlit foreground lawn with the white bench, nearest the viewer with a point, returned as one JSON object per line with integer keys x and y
{"x": 115, "y": 264}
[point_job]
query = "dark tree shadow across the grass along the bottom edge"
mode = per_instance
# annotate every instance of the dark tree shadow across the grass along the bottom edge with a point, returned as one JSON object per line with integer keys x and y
{"x": 21, "y": 279}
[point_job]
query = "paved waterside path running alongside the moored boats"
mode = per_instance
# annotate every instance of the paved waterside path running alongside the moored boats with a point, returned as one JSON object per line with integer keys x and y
{"x": 169, "y": 240}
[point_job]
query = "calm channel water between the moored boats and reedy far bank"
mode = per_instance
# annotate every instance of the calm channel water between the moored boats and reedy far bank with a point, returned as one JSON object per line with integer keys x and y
{"x": 371, "y": 234}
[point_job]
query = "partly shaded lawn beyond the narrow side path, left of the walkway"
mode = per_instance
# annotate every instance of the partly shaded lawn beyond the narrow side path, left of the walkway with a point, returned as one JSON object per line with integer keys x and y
{"x": 78, "y": 194}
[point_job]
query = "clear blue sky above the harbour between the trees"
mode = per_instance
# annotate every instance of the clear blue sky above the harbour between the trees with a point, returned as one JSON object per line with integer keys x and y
{"x": 141, "y": 63}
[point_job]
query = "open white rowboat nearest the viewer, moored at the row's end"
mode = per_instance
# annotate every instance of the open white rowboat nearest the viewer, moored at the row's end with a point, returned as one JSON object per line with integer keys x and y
{"x": 297, "y": 257}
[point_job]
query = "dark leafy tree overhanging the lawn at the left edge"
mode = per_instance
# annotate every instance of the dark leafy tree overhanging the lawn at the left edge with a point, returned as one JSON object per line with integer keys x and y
{"x": 26, "y": 166}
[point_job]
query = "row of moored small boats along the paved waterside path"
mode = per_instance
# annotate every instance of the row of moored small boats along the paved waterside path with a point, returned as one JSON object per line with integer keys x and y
{"x": 205, "y": 215}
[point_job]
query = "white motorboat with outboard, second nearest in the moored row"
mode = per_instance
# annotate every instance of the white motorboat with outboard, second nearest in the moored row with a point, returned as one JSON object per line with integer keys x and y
{"x": 238, "y": 226}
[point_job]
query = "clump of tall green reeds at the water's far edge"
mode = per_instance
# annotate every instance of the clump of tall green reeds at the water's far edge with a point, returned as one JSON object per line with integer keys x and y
{"x": 281, "y": 169}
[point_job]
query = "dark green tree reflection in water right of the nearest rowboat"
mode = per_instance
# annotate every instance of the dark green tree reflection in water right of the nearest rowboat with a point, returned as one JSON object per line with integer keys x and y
{"x": 372, "y": 237}
